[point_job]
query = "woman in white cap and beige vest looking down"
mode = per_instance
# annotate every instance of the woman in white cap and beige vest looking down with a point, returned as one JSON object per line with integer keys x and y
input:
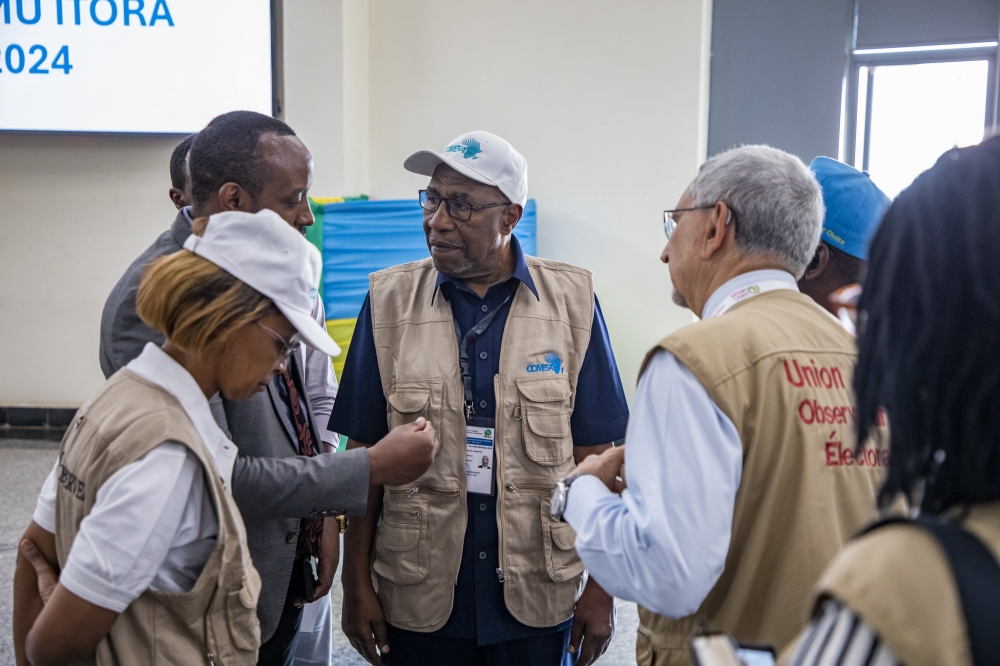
{"x": 137, "y": 514}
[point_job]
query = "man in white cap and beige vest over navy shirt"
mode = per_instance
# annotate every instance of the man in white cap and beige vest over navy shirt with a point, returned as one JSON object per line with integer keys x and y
{"x": 510, "y": 357}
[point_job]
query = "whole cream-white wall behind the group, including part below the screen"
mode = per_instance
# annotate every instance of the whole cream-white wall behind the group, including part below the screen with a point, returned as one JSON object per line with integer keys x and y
{"x": 607, "y": 101}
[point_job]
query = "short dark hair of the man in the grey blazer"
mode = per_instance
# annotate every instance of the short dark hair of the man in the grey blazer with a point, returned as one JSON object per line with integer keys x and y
{"x": 226, "y": 151}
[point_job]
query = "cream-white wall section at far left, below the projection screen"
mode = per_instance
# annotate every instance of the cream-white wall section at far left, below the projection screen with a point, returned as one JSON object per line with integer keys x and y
{"x": 74, "y": 213}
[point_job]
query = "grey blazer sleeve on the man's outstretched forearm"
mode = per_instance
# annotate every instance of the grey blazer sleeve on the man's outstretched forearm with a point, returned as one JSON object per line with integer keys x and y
{"x": 297, "y": 486}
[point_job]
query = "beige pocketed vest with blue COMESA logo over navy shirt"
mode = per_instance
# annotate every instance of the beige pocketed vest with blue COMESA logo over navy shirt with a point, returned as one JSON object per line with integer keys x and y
{"x": 418, "y": 545}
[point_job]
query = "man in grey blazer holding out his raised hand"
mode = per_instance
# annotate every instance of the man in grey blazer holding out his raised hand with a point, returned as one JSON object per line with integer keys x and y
{"x": 248, "y": 161}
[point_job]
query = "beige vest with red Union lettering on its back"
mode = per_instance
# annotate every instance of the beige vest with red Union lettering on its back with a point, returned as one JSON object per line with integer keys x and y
{"x": 781, "y": 369}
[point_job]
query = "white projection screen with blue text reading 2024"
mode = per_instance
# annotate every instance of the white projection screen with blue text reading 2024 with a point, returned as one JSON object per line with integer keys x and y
{"x": 131, "y": 65}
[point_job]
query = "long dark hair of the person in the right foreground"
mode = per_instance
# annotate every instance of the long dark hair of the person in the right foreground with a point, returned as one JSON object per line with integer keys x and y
{"x": 929, "y": 335}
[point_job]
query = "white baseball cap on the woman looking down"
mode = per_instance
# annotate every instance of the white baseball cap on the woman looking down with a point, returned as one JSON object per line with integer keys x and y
{"x": 266, "y": 253}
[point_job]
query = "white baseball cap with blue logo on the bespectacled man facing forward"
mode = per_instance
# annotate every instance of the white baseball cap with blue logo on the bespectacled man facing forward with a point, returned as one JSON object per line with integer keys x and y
{"x": 481, "y": 156}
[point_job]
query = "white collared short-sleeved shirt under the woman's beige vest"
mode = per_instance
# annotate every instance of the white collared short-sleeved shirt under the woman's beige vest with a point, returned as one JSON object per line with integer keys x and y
{"x": 153, "y": 524}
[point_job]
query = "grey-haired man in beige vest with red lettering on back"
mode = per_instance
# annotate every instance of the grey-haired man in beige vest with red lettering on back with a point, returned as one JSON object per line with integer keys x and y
{"x": 742, "y": 479}
